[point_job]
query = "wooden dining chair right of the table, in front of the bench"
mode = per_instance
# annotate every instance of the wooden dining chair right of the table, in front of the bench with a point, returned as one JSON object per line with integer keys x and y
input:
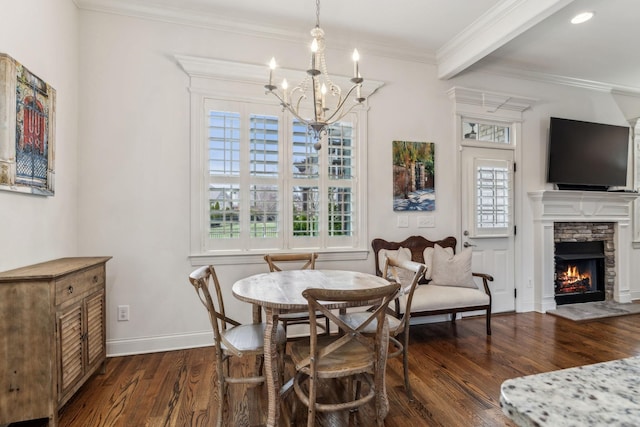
{"x": 407, "y": 274}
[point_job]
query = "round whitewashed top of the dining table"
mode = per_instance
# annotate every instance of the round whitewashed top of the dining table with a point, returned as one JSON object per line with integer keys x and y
{"x": 283, "y": 289}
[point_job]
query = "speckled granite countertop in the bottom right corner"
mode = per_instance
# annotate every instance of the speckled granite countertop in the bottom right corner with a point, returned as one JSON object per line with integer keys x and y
{"x": 603, "y": 394}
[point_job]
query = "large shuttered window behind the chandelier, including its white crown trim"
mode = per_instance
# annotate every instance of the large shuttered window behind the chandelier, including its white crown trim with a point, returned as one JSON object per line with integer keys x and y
{"x": 256, "y": 182}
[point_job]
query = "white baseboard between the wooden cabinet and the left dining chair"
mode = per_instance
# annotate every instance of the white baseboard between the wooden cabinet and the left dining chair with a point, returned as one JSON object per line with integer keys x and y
{"x": 141, "y": 345}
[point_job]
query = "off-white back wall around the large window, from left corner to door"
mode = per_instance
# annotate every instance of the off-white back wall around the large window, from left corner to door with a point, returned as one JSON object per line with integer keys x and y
{"x": 135, "y": 164}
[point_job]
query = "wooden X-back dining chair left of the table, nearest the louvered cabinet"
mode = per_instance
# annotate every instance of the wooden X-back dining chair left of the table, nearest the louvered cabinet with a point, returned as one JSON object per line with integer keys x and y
{"x": 231, "y": 339}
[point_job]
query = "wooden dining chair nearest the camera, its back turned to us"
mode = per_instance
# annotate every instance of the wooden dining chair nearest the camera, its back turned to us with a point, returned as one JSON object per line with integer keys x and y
{"x": 353, "y": 355}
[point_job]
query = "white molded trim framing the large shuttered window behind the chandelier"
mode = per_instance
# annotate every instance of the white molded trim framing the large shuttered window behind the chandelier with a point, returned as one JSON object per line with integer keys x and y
{"x": 232, "y": 82}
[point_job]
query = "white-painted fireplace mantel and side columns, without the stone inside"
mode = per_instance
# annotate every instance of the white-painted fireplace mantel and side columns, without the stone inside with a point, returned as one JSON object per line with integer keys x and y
{"x": 578, "y": 206}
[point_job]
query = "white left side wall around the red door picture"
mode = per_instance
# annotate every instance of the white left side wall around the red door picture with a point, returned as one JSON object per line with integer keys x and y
{"x": 43, "y": 36}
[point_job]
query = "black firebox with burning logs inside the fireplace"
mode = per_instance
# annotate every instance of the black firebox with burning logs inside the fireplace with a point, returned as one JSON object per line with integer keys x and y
{"x": 579, "y": 273}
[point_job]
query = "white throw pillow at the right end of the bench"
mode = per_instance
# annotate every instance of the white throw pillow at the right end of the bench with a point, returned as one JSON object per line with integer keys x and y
{"x": 452, "y": 270}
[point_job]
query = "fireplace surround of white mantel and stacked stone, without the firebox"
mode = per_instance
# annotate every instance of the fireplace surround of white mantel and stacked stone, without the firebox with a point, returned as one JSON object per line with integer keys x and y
{"x": 581, "y": 216}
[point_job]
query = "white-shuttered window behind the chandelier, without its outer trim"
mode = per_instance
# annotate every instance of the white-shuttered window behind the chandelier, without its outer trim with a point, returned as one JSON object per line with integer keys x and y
{"x": 267, "y": 188}
